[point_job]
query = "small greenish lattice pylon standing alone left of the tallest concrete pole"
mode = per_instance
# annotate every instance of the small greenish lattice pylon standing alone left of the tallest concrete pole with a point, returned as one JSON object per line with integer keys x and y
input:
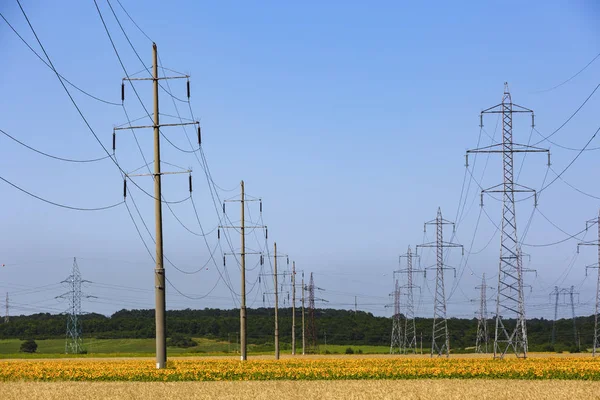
{"x": 74, "y": 341}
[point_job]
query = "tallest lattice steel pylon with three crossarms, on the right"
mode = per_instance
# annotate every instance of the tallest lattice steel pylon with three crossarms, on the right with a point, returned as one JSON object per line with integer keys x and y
{"x": 510, "y": 298}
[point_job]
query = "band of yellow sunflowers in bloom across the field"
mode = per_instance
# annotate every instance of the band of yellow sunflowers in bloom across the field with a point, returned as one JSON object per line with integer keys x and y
{"x": 299, "y": 369}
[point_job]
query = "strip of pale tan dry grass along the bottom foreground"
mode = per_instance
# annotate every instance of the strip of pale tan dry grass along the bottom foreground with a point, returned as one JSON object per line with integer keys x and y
{"x": 322, "y": 390}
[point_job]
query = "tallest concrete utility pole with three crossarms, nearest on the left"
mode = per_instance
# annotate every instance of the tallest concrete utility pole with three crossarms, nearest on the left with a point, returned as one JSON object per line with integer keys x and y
{"x": 159, "y": 270}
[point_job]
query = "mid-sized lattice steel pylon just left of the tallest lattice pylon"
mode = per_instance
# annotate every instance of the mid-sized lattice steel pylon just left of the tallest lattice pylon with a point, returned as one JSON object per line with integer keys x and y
{"x": 440, "y": 338}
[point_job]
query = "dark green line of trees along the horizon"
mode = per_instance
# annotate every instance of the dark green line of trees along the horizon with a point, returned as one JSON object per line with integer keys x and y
{"x": 338, "y": 326}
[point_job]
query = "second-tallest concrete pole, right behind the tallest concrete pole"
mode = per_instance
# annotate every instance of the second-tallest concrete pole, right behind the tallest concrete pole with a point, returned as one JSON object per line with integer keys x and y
{"x": 242, "y": 253}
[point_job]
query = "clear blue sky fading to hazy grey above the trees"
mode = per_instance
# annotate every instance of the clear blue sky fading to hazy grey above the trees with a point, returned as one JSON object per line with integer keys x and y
{"x": 349, "y": 119}
